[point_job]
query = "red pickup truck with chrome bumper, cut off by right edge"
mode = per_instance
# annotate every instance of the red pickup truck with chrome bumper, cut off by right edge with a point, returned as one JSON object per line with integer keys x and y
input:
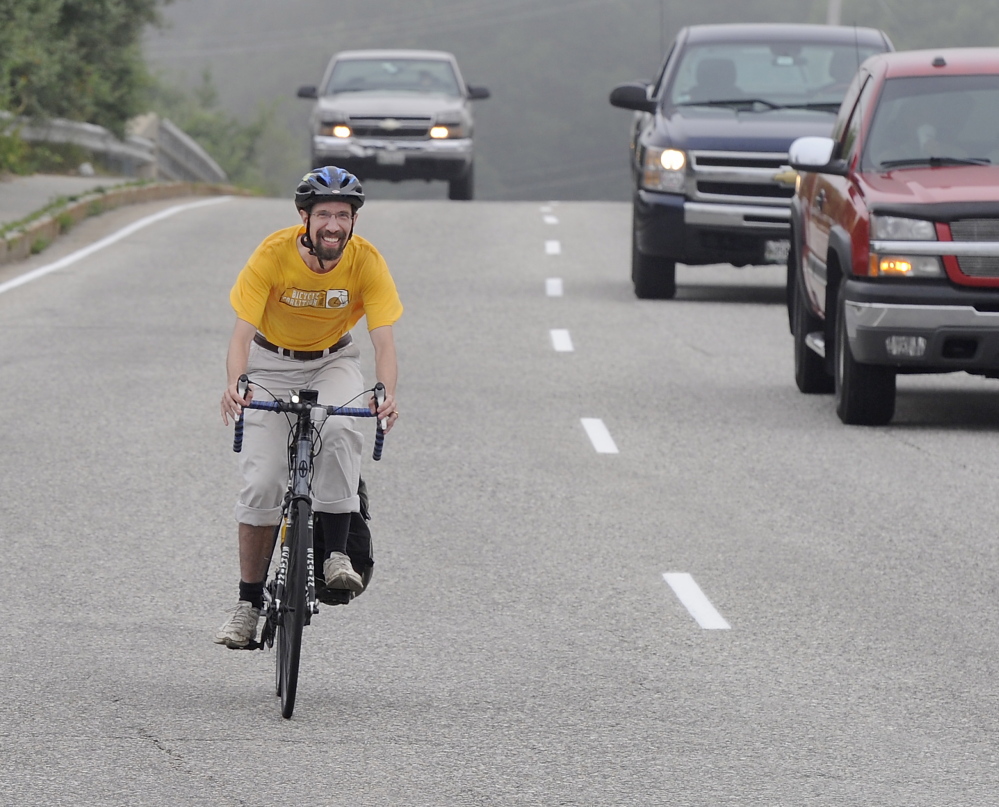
{"x": 894, "y": 257}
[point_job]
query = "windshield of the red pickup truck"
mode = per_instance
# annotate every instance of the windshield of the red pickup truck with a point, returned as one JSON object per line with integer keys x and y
{"x": 934, "y": 121}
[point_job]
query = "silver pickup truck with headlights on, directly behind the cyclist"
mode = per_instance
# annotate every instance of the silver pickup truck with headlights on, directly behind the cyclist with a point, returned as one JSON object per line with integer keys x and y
{"x": 396, "y": 115}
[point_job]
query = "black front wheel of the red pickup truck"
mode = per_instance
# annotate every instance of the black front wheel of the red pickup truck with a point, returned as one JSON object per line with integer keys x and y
{"x": 865, "y": 393}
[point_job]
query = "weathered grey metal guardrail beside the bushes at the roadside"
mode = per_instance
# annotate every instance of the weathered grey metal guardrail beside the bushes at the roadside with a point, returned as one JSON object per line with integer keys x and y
{"x": 156, "y": 149}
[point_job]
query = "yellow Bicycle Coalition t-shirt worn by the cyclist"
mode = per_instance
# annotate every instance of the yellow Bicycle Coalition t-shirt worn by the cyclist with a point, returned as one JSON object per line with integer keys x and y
{"x": 298, "y": 309}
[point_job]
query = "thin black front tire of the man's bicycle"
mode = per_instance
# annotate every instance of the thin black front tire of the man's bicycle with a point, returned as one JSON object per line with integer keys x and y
{"x": 289, "y": 631}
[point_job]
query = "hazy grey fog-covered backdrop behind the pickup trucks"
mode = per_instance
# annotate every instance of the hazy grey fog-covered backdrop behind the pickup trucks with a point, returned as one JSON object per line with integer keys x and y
{"x": 548, "y": 132}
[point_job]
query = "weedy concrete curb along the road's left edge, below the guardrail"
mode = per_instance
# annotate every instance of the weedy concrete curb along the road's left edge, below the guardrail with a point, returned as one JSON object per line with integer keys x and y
{"x": 40, "y": 233}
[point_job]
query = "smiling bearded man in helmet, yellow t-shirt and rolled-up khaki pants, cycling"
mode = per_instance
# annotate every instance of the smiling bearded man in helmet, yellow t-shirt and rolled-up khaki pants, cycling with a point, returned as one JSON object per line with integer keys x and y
{"x": 296, "y": 300}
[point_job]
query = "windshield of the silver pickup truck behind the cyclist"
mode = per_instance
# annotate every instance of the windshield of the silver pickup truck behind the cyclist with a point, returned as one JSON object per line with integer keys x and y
{"x": 393, "y": 75}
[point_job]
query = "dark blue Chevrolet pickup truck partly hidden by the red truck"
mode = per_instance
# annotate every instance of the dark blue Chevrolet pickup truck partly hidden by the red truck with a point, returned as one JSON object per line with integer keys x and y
{"x": 710, "y": 138}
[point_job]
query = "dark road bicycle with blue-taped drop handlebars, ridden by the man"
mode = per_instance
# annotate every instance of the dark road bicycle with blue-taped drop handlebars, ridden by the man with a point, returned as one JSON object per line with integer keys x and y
{"x": 290, "y": 595}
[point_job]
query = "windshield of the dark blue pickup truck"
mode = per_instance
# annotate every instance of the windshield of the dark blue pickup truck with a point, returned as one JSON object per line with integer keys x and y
{"x": 774, "y": 75}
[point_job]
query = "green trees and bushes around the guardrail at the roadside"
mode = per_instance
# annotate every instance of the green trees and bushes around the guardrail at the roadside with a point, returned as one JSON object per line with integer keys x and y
{"x": 82, "y": 60}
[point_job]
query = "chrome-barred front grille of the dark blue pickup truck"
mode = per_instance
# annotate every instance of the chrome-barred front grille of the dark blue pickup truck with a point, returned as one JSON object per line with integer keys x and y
{"x": 740, "y": 178}
